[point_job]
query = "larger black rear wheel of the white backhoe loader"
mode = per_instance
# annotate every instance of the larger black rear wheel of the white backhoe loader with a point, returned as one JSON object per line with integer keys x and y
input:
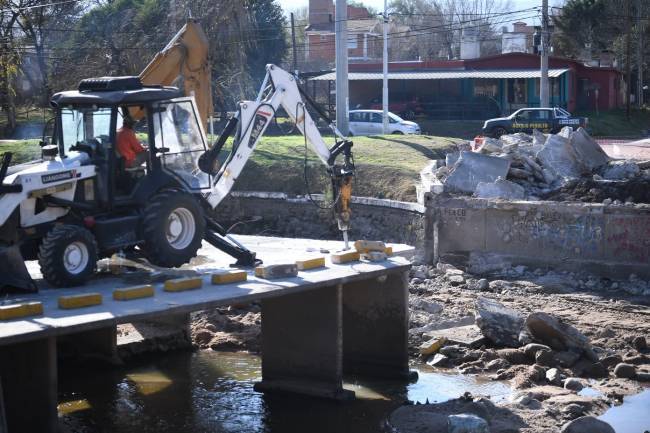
{"x": 161, "y": 246}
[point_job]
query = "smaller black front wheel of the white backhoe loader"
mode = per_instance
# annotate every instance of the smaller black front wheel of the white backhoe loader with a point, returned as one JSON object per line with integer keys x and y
{"x": 68, "y": 256}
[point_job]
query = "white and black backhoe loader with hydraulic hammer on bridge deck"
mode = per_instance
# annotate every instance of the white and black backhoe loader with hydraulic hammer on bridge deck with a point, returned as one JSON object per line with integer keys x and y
{"x": 81, "y": 203}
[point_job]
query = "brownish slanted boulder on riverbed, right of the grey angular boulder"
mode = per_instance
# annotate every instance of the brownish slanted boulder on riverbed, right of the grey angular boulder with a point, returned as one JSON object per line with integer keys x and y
{"x": 560, "y": 336}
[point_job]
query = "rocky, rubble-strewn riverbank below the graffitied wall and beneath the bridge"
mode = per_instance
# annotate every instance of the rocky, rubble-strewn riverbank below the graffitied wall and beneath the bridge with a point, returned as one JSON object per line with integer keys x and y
{"x": 571, "y": 345}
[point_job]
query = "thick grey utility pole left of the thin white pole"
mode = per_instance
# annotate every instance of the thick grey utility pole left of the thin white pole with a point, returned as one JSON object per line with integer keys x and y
{"x": 341, "y": 35}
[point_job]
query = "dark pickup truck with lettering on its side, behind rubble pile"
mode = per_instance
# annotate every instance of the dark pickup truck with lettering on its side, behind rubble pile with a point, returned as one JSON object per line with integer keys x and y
{"x": 526, "y": 119}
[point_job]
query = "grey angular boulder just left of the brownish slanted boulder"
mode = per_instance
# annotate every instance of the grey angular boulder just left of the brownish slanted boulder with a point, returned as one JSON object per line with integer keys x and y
{"x": 498, "y": 324}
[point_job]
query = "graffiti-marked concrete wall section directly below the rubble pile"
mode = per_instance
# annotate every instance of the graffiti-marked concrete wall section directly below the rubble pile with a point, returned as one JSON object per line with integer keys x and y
{"x": 610, "y": 240}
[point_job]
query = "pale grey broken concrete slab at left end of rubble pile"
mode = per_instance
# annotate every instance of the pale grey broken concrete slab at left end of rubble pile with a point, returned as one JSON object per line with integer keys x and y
{"x": 473, "y": 168}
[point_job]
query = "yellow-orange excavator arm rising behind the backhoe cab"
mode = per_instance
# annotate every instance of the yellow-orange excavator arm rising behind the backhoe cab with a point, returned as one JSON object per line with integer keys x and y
{"x": 184, "y": 63}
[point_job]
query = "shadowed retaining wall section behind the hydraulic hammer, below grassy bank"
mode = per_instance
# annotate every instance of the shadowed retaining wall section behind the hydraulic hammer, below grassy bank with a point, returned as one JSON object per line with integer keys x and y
{"x": 277, "y": 214}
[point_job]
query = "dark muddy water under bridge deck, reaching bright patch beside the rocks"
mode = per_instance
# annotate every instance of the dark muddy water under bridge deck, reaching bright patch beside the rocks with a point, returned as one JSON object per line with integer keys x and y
{"x": 213, "y": 392}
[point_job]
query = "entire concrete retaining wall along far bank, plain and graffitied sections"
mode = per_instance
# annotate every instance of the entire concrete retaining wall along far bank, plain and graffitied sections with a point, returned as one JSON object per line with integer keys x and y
{"x": 483, "y": 234}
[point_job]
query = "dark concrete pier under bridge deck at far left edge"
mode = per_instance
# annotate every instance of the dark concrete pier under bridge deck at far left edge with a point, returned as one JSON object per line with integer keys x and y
{"x": 28, "y": 372}
